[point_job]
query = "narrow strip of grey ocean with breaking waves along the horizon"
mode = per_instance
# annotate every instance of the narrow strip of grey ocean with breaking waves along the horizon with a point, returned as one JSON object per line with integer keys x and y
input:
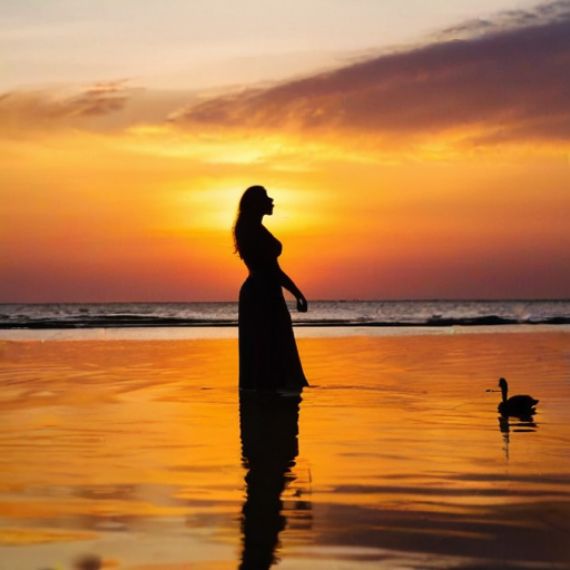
{"x": 321, "y": 313}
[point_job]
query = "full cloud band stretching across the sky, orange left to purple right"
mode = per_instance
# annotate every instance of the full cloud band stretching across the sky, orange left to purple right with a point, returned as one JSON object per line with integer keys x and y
{"x": 484, "y": 82}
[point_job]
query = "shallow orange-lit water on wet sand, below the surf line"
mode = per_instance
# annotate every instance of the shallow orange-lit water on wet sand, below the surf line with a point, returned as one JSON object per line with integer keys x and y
{"x": 138, "y": 453}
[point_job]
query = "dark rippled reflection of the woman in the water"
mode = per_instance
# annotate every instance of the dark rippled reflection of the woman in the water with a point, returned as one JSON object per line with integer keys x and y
{"x": 269, "y": 436}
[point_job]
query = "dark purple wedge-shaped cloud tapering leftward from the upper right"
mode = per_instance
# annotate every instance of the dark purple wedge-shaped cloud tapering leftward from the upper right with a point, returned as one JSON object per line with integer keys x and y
{"x": 508, "y": 80}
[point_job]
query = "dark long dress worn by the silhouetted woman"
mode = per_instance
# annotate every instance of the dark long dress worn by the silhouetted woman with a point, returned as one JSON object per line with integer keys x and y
{"x": 268, "y": 355}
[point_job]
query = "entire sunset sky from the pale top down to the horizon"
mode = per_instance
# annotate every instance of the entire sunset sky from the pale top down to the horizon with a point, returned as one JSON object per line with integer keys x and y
{"x": 414, "y": 150}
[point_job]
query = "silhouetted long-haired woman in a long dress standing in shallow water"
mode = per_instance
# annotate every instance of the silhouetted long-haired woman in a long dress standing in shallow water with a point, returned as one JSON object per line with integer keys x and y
{"x": 268, "y": 354}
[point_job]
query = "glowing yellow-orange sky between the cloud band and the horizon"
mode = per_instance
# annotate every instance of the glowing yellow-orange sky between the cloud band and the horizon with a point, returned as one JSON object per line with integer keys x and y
{"x": 156, "y": 198}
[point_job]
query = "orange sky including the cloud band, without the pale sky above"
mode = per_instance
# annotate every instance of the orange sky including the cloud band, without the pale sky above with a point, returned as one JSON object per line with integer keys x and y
{"x": 437, "y": 171}
